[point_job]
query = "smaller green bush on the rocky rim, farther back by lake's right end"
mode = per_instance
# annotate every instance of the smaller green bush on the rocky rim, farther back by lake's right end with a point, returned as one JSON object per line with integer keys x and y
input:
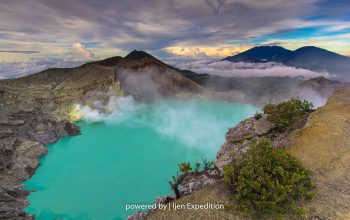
{"x": 284, "y": 114}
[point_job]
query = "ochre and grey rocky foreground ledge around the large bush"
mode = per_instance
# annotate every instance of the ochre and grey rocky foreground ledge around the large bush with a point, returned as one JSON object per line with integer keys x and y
{"x": 321, "y": 142}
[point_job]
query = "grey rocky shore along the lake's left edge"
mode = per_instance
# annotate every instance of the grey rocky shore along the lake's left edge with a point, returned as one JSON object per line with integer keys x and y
{"x": 21, "y": 146}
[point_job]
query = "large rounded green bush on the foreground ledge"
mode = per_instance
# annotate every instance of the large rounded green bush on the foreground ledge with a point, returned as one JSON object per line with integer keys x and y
{"x": 267, "y": 180}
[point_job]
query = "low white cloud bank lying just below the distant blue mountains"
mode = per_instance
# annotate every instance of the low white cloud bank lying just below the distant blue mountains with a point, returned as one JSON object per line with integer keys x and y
{"x": 241, "y": 69}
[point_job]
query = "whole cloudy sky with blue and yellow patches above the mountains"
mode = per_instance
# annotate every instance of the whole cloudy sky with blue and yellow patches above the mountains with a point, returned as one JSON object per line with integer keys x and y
{"x": 66, "y": 32}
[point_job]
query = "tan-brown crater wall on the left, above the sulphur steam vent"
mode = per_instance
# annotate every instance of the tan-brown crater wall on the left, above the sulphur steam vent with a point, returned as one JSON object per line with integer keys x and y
{"x": 54, "y": 91}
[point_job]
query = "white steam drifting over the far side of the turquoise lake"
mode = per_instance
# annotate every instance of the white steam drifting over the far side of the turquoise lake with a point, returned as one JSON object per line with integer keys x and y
{"x": 186, "y": 122}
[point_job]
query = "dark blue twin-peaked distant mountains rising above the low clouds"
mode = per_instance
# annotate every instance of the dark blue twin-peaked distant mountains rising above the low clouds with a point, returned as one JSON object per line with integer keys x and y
{"x": 312, "y": 58}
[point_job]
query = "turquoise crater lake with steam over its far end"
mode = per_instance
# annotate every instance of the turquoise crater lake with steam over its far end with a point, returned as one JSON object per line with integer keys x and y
{"x": 127, "y": 157}
